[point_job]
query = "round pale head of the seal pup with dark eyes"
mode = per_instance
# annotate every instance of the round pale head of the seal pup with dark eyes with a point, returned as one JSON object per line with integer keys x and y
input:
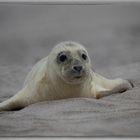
{"x": 70, "y": 62}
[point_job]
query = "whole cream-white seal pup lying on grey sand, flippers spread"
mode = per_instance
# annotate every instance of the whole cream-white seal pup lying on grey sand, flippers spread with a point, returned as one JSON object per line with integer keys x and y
{"x": 65, "y": 73}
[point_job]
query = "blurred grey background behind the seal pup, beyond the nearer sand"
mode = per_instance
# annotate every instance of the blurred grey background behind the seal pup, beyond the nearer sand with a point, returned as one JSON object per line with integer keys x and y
{"x": 111, "y": 33}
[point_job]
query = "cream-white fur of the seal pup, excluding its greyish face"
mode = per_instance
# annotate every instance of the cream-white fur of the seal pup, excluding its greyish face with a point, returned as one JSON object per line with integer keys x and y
{"x": 42, "y": 83}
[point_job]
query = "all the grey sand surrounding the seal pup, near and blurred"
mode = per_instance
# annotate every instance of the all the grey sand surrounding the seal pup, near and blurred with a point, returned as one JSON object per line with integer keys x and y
{"x": 111, "y": 34}
